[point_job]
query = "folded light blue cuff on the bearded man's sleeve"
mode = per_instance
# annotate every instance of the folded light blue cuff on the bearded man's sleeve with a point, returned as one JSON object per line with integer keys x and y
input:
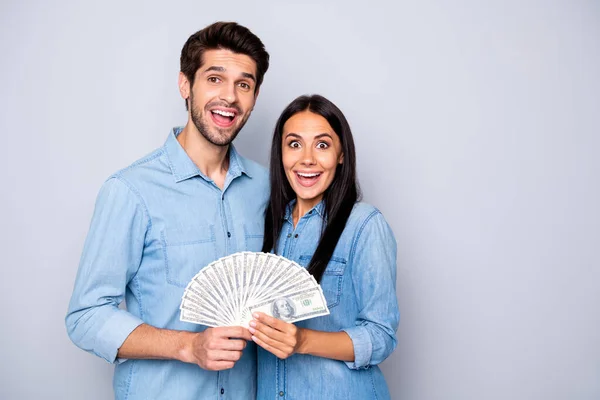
{"x": 112, "y": 335}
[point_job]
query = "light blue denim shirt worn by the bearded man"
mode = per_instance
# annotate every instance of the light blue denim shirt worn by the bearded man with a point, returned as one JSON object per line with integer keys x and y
{"x": 155, "y": 225}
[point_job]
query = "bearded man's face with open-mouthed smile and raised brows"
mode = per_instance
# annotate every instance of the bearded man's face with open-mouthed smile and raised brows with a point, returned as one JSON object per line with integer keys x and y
{"x": 223, "y": 95}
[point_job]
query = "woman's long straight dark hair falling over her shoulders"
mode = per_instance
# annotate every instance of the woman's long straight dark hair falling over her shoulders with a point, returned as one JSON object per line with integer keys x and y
{"x": 340, "y": 196}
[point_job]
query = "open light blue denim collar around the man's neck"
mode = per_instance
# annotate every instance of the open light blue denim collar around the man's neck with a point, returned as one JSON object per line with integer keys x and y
{"x": 184, "y": 168}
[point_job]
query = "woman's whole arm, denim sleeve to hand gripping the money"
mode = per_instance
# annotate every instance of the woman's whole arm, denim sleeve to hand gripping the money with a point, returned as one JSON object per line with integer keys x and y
{"x": 373, "y": 336}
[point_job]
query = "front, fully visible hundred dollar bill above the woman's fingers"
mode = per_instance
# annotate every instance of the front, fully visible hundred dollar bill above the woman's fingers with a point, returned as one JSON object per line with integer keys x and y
{"x": 294, "y": 307}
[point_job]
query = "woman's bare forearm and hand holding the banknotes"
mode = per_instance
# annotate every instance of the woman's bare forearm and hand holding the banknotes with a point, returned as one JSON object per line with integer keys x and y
{"x": 284, "y": 339}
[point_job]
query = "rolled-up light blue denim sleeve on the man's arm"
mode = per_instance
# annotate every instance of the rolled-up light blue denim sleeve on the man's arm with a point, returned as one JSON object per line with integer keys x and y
{"x": 111, "y": 257}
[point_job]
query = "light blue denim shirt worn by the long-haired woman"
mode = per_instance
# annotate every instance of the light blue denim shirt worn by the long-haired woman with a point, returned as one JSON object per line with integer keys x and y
{"x": 360, "y": 287}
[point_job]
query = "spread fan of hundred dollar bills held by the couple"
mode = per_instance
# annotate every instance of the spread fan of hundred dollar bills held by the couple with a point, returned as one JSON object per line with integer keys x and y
{"x": 227, "y": 291}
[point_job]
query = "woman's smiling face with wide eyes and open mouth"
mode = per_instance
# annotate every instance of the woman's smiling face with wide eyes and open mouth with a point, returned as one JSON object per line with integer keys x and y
{"x": 311, "y": 152}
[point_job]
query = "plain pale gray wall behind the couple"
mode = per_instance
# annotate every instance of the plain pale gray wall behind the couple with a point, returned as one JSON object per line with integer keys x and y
{"x": 477, "y": 128}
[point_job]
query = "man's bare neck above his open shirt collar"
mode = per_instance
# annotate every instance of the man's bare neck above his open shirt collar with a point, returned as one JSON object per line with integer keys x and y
{"x": 211, "y": 160}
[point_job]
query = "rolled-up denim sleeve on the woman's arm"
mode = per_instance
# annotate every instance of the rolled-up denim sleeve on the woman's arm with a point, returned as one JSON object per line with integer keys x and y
{"x": 373, "y": 272}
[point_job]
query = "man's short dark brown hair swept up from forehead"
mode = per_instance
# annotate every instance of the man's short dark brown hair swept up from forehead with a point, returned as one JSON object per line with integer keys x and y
{"x": 225, "y": 36}
